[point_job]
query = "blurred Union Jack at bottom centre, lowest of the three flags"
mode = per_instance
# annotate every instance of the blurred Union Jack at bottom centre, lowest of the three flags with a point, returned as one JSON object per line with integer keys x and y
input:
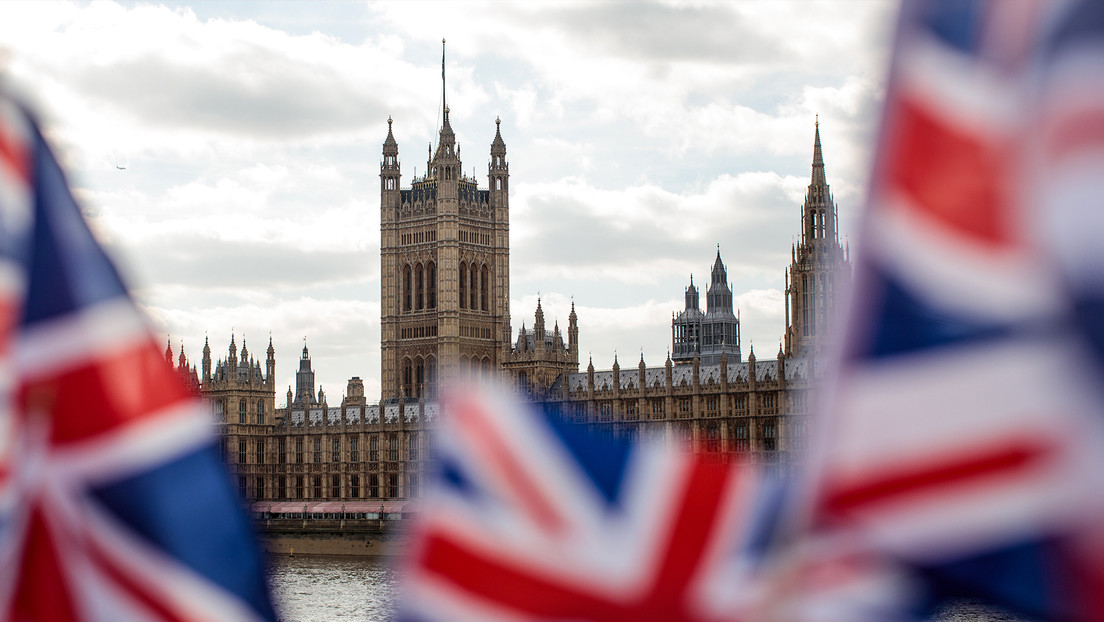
{"x": 533, "y": 520}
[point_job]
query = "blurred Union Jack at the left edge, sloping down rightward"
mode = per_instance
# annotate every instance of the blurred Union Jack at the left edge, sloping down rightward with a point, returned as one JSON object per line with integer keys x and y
{"x": 114, "y": 504}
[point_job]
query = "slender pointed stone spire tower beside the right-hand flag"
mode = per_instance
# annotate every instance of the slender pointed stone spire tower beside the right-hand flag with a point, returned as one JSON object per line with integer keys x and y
{"x": 821, "y": 270}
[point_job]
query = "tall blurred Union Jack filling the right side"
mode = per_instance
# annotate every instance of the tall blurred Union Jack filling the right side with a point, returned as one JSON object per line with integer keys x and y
{"x": 964, "y": 439}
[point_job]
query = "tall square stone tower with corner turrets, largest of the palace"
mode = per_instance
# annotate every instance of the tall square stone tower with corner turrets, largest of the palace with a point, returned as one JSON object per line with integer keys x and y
{"x": 445, "y": 252}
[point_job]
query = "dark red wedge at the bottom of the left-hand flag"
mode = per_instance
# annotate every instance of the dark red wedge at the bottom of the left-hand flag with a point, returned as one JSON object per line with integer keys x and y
{"x": 43, "y": 588}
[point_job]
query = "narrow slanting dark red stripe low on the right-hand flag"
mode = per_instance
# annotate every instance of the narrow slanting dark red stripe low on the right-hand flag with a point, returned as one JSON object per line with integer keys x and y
{"x": 948, "y": 472}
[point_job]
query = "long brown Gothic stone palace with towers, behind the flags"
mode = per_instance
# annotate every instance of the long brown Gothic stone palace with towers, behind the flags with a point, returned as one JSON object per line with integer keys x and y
{"x": 445, "y": 250}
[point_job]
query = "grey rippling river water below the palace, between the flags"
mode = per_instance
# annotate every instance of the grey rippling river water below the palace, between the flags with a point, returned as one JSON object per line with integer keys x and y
{"x": 333, "y": 589}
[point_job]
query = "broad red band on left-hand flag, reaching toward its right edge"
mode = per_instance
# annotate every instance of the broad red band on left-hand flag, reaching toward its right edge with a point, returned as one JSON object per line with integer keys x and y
{"x": 104, "y": 395}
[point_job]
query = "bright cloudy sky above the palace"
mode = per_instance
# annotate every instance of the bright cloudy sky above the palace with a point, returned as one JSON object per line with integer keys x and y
{"x": 227, "y": 154}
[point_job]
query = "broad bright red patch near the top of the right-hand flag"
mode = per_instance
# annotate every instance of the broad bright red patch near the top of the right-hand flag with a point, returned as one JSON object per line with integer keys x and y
{"x": 953, "y": 177}
